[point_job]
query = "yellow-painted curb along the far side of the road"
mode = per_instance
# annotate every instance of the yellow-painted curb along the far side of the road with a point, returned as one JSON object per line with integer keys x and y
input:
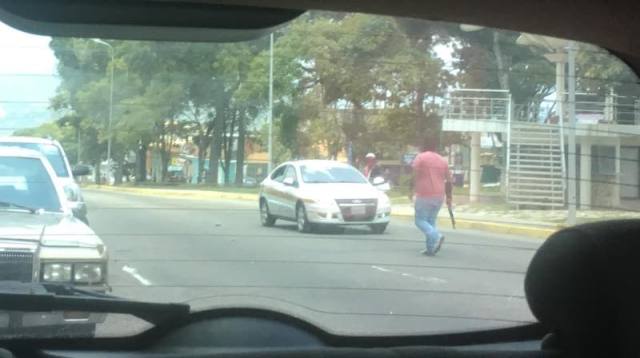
{"x": 495, "y": 227}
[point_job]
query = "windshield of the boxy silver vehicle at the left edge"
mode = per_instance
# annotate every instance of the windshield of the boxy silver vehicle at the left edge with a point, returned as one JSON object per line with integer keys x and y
{"x": 25, "y": 182}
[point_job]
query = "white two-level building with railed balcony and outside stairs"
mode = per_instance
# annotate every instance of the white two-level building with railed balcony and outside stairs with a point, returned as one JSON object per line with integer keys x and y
{"x": 607, "y": 133}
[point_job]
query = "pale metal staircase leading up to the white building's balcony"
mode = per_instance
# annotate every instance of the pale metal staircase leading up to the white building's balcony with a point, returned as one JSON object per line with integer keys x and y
{"x": 536, "y": 167}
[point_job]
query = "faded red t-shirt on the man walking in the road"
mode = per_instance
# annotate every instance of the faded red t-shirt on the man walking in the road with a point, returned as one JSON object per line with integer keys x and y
{"x": 431, "y": 171}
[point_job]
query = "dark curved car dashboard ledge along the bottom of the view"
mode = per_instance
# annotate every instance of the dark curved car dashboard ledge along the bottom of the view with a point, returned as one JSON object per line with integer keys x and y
{"x": 263, "y": 333}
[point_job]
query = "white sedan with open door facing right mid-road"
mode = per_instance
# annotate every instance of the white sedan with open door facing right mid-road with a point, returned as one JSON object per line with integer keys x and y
{"x": 317, "y": 193}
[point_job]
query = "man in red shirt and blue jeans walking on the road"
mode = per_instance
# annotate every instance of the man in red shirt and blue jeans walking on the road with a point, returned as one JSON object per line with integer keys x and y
{"x": 431, "y": 183}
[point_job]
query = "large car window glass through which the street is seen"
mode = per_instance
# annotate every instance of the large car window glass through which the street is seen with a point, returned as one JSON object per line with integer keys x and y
{"x": 203, "y": 188}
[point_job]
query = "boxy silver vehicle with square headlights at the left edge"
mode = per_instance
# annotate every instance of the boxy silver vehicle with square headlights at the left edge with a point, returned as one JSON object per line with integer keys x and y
{"x": 41, "y": 240}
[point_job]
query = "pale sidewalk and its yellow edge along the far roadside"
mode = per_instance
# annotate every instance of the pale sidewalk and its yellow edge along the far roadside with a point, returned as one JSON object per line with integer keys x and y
{"x": 532, "y": 223}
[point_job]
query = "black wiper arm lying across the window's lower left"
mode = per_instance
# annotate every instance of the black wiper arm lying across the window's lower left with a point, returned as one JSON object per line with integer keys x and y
{"x": 38, "y": 297}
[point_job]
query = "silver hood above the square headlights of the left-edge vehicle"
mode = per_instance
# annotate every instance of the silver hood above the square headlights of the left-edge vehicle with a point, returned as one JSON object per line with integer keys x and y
{"x": 49, "y": 229}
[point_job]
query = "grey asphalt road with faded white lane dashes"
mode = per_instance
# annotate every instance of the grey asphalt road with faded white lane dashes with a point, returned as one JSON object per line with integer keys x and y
{"x": 216, "y": 254}
